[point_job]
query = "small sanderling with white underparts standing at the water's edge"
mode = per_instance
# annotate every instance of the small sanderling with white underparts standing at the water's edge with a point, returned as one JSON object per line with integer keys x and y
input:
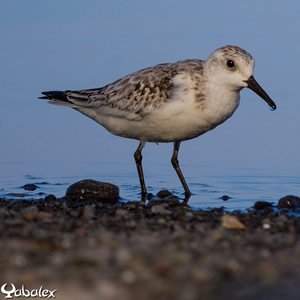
{"x": 170, "y": 102}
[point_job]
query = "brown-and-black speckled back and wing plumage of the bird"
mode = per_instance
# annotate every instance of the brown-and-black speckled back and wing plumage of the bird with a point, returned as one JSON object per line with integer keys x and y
{"x": 137, "y": 94}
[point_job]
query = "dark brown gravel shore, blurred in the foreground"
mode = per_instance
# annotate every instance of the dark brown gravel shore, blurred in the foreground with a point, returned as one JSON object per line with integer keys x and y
{"x": 88, "y": 249}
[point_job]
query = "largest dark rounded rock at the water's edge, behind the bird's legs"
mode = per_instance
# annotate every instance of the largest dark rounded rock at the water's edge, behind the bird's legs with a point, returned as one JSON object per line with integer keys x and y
{"x": 93, "y": 190}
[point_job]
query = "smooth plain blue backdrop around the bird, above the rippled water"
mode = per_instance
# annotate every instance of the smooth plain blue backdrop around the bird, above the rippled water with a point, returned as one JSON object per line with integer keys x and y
{"x": 58, "y": 45}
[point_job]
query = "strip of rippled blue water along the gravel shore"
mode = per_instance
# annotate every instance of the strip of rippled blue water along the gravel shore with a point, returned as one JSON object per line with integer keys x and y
{"x": 207, "y": 184}
